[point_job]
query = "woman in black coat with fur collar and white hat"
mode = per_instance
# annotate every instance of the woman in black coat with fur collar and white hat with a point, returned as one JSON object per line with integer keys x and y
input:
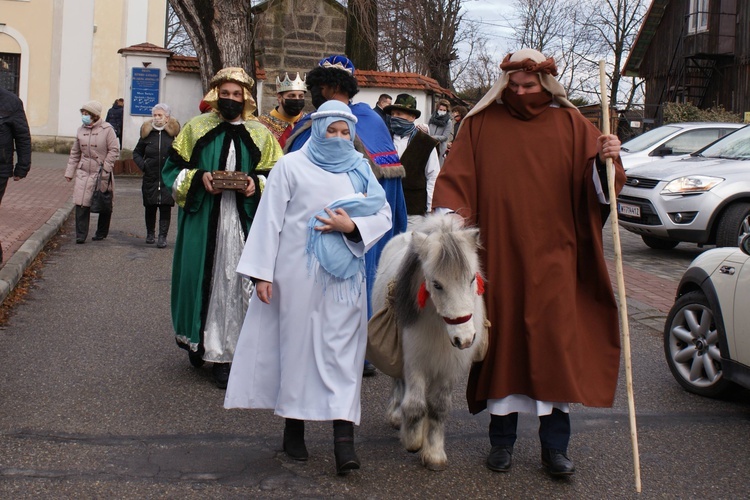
{"x": 150, "y": 154}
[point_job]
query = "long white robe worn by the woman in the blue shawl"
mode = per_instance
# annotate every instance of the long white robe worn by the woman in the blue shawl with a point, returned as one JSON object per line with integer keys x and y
{"x": 302, "y": 354}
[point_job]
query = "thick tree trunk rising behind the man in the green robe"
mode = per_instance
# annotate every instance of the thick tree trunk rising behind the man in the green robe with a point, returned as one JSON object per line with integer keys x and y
{"x": 221, "y": 32}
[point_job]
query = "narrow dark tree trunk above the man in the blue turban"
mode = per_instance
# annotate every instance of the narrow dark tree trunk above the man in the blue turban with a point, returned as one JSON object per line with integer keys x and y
{"x": 362, "y": 33}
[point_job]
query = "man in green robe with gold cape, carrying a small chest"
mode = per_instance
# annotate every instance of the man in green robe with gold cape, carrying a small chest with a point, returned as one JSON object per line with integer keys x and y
{"x": 209, "y": 298}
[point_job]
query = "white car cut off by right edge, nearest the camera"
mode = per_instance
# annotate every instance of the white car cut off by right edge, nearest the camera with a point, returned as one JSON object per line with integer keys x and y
{"x": 707, "y": 332}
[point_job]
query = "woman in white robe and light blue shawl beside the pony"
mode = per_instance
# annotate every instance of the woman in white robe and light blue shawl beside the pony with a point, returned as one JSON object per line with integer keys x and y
{"x": 302, "y": 344}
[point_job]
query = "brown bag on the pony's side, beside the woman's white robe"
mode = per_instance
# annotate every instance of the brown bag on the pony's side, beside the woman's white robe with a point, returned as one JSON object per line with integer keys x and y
{"x": 384, "y": 348}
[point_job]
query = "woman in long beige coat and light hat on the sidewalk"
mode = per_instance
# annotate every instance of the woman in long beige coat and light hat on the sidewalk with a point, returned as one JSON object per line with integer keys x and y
{"x": 95, "y": 149}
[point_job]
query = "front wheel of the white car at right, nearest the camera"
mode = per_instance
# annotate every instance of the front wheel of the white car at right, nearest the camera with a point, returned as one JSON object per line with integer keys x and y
{"x": 691, "y": 346}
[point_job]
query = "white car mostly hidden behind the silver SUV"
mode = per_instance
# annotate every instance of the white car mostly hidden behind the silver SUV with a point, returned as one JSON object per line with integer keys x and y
{"x": 672, "y": 141}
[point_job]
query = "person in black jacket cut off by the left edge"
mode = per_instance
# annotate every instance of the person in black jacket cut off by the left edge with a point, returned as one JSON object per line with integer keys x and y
{"x": 14, "y": 136}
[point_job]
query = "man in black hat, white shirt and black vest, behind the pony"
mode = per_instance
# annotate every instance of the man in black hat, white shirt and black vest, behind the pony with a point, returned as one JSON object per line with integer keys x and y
{"x": 418, "y": 154}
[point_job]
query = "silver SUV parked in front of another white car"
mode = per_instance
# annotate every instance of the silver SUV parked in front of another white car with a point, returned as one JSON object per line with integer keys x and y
{"x": 703, "y": 198}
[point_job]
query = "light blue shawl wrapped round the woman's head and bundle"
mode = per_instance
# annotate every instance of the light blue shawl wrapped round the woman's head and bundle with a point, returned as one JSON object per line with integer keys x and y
{"x": 337, "y": 264}
